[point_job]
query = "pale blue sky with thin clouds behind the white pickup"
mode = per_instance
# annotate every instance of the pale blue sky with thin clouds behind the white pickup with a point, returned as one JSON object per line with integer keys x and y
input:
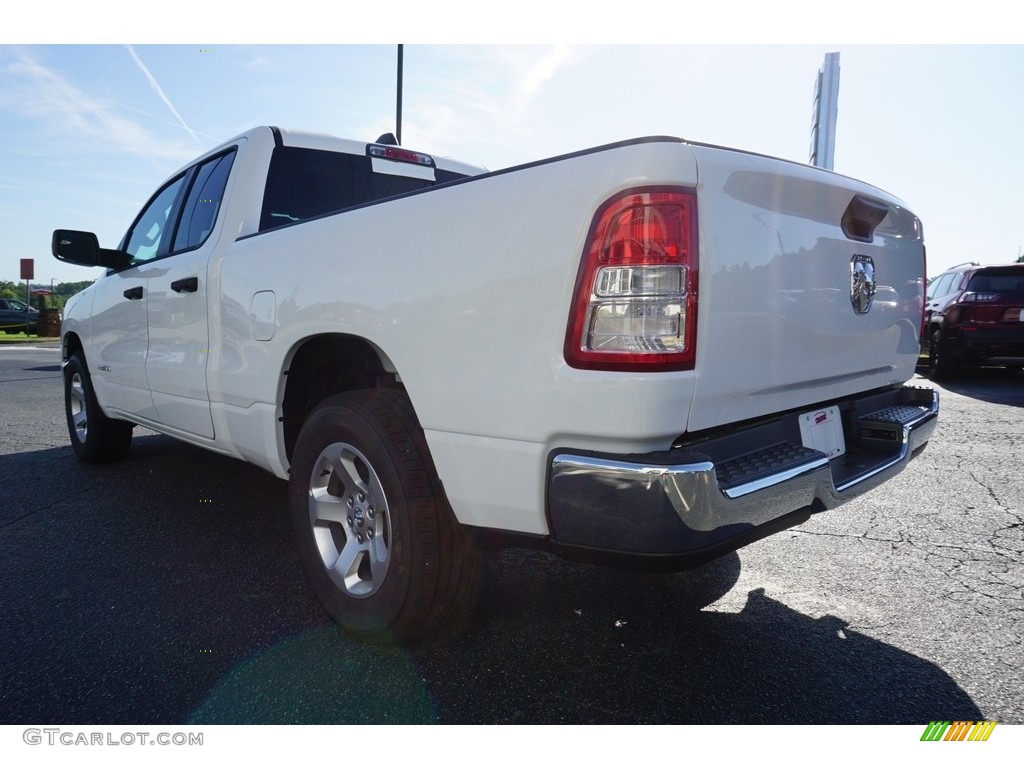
{"x": 90, "y": 132}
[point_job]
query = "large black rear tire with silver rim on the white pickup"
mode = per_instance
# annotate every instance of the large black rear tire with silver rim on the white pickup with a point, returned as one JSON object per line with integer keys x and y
{"x": 379, "y": 544}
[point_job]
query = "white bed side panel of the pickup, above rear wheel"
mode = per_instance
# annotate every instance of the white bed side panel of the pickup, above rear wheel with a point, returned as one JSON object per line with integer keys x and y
{"x": 467, "y": 291}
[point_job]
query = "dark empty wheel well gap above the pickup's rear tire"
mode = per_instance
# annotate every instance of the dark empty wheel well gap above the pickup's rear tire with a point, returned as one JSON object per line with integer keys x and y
{"x": 327, "y": 365}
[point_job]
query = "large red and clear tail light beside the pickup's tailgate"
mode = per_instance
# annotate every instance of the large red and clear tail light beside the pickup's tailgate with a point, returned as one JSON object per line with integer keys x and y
{"x": 635, "y": 302}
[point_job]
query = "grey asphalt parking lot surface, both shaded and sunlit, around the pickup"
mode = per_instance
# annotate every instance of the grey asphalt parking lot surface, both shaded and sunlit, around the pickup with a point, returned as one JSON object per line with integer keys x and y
{"x": 165, "y": 589}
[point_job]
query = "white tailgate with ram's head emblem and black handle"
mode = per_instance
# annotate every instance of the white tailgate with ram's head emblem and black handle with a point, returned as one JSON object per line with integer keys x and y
{"x": 812, "y": 288}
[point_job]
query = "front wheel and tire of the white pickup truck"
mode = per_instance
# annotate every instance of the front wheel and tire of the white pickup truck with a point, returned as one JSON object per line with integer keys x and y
{"x": 95, "y": 437}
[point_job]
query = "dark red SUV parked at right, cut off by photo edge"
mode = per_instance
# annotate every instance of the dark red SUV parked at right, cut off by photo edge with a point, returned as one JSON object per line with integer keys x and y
{"x": 974, "y": 316}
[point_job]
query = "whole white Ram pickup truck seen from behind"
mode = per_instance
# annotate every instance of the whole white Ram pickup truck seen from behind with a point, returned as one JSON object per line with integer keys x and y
{"x": 655, "y": 351}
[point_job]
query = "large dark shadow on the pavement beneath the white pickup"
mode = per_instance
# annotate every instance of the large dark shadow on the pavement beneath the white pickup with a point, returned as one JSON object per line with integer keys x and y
{"x": 165, "y": 589}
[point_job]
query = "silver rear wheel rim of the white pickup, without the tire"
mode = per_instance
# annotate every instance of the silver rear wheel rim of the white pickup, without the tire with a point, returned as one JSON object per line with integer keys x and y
{"x": 350, "y": 520}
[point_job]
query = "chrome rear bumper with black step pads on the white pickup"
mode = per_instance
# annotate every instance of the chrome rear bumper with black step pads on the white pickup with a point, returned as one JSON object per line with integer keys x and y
{"x": 705, "y": 500}
